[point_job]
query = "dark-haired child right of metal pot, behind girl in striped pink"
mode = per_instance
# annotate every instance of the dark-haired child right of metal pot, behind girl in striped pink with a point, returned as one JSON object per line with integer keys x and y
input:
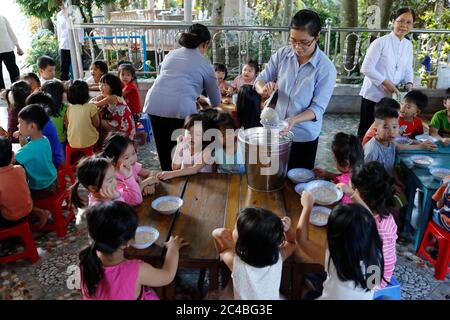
{"x": 348, "y": 153}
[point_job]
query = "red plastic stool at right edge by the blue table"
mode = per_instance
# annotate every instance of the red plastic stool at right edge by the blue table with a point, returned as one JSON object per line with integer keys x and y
{"x": 443, "y": 238}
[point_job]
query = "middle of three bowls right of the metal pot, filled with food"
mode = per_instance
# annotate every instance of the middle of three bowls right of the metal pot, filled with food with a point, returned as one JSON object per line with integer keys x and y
{"x": 325, "y": 193}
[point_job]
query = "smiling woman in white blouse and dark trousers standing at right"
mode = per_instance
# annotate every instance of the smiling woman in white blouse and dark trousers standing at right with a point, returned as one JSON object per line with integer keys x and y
{"x": 388, "y": 63}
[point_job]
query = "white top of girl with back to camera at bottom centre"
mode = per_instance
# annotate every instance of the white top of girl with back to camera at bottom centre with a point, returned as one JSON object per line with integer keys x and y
{"x": 251, "y": 283}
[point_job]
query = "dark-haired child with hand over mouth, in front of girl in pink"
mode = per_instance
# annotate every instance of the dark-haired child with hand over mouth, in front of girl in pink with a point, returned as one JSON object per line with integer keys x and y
{"x": 97, "y": 175}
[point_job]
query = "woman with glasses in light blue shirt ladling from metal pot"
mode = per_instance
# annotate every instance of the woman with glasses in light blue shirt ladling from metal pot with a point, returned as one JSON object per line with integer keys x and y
{"x": 305, "y": 79}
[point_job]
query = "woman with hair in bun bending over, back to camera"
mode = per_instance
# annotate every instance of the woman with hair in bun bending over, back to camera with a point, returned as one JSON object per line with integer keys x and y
{"x": 184, "y": 74}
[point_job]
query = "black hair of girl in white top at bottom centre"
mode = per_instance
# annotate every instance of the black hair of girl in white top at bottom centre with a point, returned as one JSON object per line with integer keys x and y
{"x": 260, "y": 234}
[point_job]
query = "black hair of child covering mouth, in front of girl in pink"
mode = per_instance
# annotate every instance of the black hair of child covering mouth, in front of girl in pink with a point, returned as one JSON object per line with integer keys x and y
{"x": 91, "y": 171}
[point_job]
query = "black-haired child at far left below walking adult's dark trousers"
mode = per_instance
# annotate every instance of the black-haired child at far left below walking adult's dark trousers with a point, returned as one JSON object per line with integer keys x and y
{"x": 15, "y": 99}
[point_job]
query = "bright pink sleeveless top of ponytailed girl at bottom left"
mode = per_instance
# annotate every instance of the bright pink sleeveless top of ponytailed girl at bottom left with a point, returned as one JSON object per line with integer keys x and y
{"x": 119, "y": 283}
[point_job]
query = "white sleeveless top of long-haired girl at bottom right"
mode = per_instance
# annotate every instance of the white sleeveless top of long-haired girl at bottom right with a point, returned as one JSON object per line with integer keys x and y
{"x": 336, "y": 289}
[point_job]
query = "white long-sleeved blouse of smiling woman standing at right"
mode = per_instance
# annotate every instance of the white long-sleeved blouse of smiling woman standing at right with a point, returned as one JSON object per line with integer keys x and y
{"x": 389, "y": 58}
